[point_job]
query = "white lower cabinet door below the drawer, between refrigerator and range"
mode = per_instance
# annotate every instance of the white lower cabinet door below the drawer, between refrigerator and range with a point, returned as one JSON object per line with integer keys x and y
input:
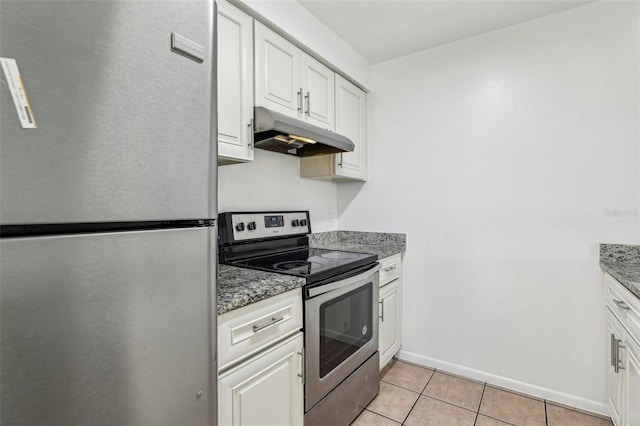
{"x": 265, "y": 390}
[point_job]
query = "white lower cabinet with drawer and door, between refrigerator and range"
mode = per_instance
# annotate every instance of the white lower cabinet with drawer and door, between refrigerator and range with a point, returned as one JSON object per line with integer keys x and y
{"x": 260, "y": 350}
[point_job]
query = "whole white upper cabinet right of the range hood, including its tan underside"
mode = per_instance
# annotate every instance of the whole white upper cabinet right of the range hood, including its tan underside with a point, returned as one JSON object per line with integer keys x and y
{"x": 351, "y": 121}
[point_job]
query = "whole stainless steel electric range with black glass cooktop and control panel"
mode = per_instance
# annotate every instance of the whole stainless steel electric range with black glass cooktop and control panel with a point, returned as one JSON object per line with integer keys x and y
{"x": 340, "y": 307}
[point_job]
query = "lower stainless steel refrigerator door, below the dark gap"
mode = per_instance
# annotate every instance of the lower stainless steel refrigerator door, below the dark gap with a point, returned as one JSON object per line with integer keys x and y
{"x": 108, "y": 329}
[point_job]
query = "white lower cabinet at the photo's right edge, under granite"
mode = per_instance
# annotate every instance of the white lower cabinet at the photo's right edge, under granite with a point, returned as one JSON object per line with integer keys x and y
{"x": 623, "y": 371}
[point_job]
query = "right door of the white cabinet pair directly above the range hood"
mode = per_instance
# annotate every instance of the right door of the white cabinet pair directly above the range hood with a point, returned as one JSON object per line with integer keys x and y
{"x": 318, "y": 83}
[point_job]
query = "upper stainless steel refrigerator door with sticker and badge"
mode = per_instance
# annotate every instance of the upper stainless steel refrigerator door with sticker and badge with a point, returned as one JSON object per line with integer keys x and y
{"x": 124, "y": 123}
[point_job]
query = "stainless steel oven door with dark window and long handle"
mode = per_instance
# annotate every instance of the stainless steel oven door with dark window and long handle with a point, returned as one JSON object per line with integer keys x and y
{"x": 341, "y": 331}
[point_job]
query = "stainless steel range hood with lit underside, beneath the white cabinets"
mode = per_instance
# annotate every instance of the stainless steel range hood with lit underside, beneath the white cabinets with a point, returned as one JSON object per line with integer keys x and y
{"x": 274, "y": 131}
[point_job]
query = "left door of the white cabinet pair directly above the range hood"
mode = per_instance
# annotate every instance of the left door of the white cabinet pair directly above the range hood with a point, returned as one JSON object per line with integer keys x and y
{"x": 278, "y": 84}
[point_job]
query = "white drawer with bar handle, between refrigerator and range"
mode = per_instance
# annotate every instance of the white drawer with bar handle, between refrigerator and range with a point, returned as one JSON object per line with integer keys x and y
{"x": 245, "y": 331}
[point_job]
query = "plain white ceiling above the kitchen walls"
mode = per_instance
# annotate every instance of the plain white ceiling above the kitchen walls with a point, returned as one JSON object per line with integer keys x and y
{"x": 386, "y": 29}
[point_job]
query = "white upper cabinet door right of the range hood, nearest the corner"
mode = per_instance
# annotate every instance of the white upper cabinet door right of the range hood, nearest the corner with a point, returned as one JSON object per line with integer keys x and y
{"x": 351, "y": 121}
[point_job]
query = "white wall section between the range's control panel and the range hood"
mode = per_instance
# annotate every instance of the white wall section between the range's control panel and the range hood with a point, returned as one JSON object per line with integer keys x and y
{"x": 273, "y": 181}
